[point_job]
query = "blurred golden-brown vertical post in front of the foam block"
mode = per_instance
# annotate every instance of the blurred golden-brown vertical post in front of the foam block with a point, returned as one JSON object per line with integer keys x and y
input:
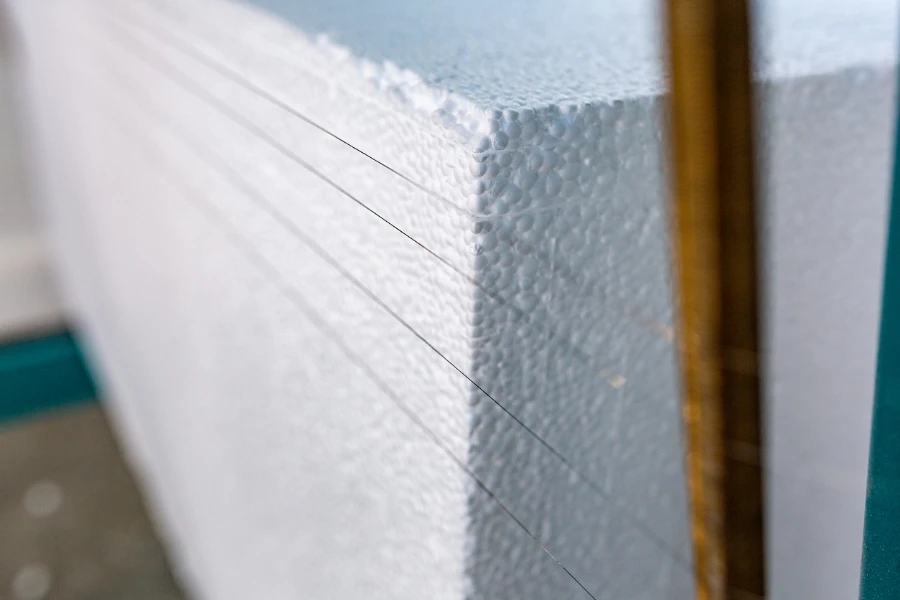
{"x": 714, "y": 217}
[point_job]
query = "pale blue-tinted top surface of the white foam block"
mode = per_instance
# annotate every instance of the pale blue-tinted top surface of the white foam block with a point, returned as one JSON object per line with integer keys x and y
{"x": 529, "y": 53}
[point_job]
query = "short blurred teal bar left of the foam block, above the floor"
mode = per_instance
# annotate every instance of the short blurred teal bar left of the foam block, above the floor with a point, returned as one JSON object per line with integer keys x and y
{"x": 41, "y": 374}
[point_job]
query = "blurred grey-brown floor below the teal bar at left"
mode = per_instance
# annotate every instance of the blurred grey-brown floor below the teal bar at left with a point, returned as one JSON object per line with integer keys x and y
{"x": 72, "y": 523}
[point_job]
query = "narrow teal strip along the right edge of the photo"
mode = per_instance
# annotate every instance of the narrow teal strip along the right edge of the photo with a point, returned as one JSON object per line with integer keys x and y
{"x": 881, "y": 539}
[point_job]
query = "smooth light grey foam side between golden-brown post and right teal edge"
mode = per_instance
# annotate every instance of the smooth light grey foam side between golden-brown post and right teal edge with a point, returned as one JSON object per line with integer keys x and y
{"x": 827, "y": 146}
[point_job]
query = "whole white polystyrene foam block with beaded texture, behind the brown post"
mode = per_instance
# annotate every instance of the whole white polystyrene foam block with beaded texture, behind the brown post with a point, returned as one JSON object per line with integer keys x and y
{"x": 346, "y": 376}
